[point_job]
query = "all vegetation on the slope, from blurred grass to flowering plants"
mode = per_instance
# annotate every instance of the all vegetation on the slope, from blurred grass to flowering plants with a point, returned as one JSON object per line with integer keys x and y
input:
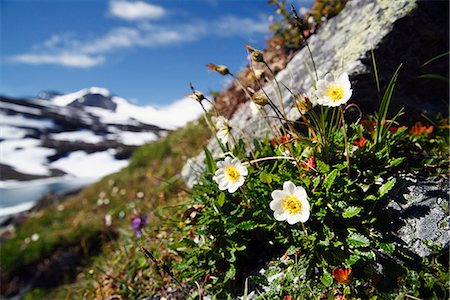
{"x": 302, "y": 214}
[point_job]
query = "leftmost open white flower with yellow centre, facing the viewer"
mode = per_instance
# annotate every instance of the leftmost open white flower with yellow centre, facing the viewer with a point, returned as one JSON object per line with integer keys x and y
{"x": 230, "y": 174}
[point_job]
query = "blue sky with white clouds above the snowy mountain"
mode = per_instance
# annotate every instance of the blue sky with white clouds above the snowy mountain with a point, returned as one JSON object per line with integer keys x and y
{"x": 146, "y": 51}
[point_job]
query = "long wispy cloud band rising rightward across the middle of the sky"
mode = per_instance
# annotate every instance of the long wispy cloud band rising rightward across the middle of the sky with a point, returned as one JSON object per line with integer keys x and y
{"x": 68, "y": 51}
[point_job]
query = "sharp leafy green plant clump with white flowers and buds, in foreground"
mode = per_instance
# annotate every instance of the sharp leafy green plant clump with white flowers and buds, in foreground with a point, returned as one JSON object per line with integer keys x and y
{"x": 312, "y": 201}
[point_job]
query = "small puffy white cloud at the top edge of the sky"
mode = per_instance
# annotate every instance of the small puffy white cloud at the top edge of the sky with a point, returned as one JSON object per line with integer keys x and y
{"x": 132, "y": 11}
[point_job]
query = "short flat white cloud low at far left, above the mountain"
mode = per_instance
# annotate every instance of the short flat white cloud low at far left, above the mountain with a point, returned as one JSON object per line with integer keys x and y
{"x": 64, "y": 59}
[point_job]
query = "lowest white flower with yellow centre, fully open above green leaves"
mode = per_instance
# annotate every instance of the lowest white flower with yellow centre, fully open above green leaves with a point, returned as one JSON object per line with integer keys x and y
{"x": 290, "y": 204}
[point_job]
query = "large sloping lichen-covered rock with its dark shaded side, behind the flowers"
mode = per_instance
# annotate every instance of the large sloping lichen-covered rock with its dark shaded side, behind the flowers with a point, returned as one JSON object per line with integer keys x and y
{"x": 408, "y": 31}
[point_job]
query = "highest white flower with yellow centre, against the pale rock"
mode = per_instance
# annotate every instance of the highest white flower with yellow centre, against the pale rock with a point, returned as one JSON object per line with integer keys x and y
{"x": 333, "y": 90}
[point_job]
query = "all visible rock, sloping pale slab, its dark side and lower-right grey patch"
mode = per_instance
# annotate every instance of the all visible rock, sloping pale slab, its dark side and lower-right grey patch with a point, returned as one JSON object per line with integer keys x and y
{"x": 401, "y": 31}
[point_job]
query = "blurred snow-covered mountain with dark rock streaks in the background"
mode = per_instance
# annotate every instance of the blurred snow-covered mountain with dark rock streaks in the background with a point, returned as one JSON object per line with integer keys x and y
{"x": 88, "y": 133}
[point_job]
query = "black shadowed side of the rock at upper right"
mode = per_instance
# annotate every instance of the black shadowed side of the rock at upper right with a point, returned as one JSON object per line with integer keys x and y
{"x": 414, "y": 40}
